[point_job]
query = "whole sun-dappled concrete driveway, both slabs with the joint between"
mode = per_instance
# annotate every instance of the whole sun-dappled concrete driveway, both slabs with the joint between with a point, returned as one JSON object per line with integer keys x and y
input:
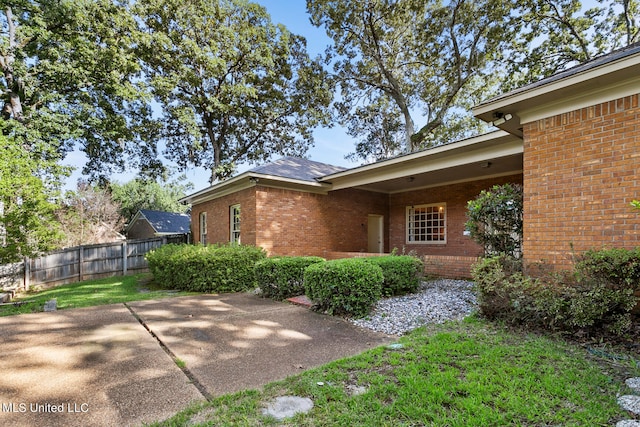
{"x": 114, "y": 365}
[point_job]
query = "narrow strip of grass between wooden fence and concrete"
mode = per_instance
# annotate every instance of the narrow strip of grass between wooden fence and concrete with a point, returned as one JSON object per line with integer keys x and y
{"x": 89, "y": 293}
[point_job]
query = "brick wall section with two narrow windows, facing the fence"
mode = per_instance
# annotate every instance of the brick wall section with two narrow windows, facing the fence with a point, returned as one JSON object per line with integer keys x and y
{"x": 218, "y": 227}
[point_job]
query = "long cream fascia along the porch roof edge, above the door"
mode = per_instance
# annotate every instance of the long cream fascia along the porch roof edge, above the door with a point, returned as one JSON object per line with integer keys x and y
{"x": 477, "y": 149}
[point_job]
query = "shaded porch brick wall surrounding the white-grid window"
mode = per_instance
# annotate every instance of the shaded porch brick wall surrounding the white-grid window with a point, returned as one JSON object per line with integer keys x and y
{"x": 456, "y": 197}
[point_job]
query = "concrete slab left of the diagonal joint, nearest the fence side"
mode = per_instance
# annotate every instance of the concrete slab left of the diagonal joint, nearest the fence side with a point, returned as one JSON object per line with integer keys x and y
{"x": 86, "y": 367}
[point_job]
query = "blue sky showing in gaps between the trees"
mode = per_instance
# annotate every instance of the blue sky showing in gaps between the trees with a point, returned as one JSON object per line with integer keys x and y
{"x": 331, "y": 145}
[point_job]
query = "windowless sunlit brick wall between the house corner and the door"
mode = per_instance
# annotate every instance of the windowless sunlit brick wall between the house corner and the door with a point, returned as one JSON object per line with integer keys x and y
{"x": 298, "y": 223}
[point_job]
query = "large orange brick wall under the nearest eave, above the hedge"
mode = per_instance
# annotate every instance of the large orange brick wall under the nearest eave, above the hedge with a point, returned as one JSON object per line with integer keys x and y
{"x": 580, "y": 174}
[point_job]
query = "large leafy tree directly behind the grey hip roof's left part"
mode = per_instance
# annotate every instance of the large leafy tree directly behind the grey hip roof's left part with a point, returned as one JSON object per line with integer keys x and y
{"x": 233, "y": 87}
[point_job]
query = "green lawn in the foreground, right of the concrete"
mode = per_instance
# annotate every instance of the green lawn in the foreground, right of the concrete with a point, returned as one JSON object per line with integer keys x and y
{"x": 469, "y": 373}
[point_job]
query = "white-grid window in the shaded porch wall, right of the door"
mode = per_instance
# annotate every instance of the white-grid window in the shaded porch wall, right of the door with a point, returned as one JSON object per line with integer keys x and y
{"x": 411, "y": 222}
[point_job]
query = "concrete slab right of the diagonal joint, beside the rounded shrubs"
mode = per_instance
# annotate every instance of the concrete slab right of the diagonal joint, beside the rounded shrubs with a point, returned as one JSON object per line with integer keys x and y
{"x": 240, "y": 341}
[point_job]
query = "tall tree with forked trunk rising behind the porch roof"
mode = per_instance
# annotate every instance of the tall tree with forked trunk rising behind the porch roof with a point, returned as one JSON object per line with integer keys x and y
{"x": 426, "y": 57}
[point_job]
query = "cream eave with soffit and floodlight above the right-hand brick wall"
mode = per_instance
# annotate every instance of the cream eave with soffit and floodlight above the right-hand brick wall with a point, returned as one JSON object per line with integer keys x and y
{"x": 607, "y": 77}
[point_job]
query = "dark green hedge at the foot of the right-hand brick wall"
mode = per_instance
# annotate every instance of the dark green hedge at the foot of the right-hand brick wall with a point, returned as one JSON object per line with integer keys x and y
{"x": 592, "y": 298}
